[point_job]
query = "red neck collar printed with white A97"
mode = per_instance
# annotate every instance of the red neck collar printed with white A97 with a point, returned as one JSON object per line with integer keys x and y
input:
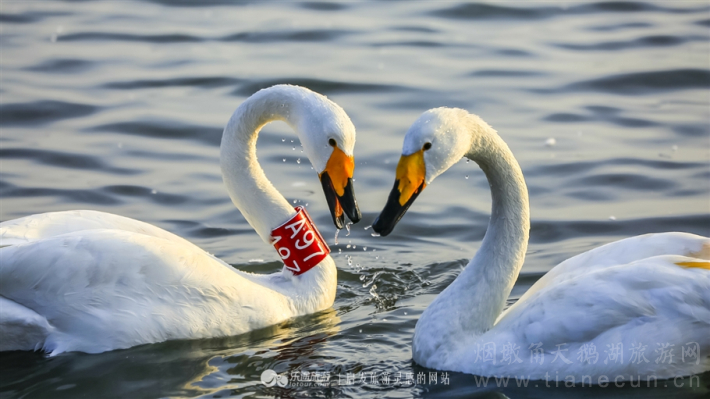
{"x": 299, "y": 243}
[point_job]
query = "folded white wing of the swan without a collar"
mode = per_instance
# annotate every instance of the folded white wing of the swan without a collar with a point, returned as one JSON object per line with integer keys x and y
{"x": 651, "y": 302}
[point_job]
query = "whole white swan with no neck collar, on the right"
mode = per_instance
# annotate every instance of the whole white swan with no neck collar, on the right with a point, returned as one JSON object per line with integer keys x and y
{"x": 635, "y": 308}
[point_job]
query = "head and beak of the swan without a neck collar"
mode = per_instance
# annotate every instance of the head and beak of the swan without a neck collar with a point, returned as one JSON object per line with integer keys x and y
{"x": 438, "y": 139}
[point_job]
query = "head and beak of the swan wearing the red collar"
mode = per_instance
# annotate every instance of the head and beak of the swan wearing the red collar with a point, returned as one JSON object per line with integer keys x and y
{"x": 328, "y": 138}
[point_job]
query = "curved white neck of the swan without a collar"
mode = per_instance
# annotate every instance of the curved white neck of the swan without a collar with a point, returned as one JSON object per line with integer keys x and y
{"x": 470, "y": 305}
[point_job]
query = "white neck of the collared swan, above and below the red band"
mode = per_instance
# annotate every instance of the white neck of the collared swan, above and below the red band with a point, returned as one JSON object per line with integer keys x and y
{"x": 260, "y": 203}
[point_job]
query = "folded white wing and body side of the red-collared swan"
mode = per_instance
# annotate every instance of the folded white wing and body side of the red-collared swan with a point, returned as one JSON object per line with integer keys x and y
{"x": 111, "y": 289}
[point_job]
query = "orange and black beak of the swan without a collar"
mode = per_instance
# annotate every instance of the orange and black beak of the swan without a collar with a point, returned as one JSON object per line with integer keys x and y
{"x": 408, "y": 184}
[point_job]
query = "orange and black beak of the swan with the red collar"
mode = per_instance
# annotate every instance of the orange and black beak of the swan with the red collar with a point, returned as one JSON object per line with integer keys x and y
{"x": 337, "y": 181}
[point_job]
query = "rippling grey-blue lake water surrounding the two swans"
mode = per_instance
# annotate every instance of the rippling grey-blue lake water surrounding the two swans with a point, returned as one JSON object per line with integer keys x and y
{"x": 119, "y": 106}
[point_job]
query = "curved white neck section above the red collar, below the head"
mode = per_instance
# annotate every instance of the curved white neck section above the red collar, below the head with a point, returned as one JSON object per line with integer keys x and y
{"x": 260, "y": 203}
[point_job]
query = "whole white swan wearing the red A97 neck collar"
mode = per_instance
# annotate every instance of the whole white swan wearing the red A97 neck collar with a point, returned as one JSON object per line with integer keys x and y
{"x": 92, "y": 282}
